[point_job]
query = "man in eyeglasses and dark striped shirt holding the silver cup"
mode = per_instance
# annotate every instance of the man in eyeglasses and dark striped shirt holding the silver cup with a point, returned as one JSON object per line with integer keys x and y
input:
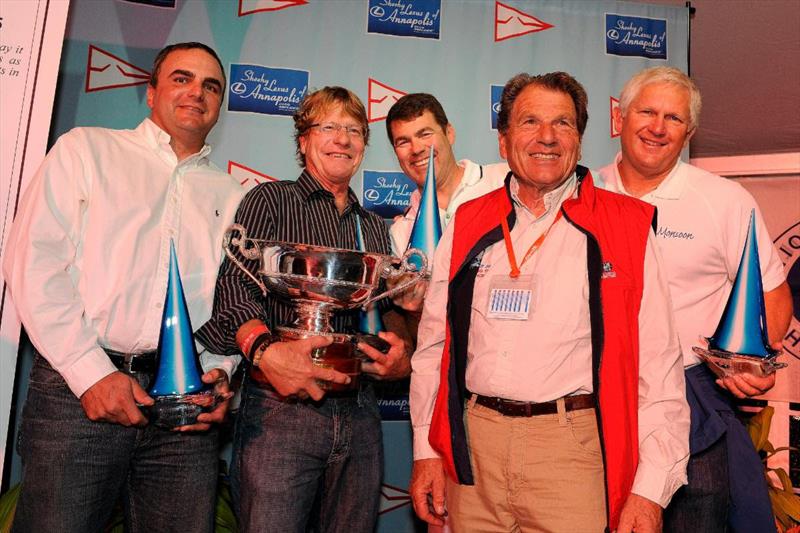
{"x": 303, "y": 458}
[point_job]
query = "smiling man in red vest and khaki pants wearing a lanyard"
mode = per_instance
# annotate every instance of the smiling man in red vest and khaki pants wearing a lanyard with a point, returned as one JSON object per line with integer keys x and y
{"x": 546, "y": 391}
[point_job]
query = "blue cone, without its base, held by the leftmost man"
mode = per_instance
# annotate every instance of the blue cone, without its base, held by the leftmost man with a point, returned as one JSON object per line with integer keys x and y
{"x": 179, "y": 368}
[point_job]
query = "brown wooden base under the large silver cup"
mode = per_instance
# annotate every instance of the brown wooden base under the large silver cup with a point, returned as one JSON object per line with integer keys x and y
{"x": 339, "y": 355}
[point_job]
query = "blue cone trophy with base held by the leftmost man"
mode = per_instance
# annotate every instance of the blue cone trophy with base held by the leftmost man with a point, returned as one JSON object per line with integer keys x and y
{"x": 177, "y": 389}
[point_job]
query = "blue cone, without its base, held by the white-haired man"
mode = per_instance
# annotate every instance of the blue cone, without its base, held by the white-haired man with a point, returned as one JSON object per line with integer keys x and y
{"x": 743, "y": 326}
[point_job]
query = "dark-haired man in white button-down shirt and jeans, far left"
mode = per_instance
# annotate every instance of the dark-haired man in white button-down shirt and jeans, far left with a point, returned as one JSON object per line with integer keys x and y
{"x": 87, "y": 266}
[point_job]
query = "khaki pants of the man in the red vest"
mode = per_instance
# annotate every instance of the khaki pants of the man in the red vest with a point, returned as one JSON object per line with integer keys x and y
{"x": 543, "y": 473}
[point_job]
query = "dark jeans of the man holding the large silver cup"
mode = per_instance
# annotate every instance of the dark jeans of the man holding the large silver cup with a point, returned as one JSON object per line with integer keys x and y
{"x": 303, "y": 466}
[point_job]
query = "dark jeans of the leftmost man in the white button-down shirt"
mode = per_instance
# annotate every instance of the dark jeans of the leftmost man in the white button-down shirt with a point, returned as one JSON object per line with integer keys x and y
{"x": 75, "y": 470}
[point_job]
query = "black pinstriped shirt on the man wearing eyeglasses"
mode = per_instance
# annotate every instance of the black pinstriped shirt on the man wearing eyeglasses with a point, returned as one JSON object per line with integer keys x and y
{"x": 299, "y": 211}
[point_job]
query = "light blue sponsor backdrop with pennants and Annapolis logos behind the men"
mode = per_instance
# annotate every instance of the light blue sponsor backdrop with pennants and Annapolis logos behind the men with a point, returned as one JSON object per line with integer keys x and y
{"x": 275, "y": 51}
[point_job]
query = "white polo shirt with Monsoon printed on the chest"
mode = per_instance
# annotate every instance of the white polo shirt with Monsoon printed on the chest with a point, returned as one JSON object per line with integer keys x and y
{"x": 702, "y": 228}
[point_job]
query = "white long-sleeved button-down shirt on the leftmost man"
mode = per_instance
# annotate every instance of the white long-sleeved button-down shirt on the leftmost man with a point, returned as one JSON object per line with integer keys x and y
{"x": 88, "y": 256}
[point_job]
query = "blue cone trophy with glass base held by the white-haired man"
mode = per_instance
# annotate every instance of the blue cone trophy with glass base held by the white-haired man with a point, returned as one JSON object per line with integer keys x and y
{"x": 741, "y": 343}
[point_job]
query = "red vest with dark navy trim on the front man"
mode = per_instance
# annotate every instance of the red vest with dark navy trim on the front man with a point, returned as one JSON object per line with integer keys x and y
{"x": 616, "y": 229}
